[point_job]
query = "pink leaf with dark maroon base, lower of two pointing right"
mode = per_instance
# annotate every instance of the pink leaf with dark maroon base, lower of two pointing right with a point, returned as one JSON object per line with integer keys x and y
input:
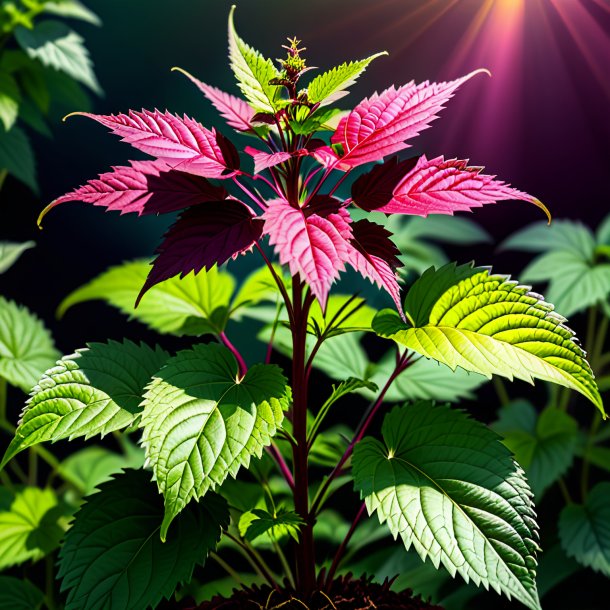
{"x": 437, "y": 186}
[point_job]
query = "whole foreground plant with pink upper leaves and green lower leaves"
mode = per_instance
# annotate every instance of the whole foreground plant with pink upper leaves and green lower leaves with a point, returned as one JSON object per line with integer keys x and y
{"x": 441, "y": 481}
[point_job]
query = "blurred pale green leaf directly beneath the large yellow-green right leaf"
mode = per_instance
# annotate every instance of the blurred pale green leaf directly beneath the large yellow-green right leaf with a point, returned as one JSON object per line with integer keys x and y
{"x": 426, "y": 380}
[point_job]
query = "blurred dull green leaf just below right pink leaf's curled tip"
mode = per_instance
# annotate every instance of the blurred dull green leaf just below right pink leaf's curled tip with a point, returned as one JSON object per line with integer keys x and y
{"x": 565, "y": 235}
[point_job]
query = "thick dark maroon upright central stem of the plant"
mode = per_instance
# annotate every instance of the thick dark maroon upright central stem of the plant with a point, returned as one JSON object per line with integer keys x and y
{"x": 305, "y": 557}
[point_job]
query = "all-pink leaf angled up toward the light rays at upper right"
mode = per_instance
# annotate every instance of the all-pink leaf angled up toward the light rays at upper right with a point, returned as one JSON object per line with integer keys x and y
{"x": 381, "y": 124}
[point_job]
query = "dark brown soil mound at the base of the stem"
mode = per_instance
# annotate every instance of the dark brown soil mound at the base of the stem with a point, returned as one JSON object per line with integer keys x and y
{"x": 346, "y": 593}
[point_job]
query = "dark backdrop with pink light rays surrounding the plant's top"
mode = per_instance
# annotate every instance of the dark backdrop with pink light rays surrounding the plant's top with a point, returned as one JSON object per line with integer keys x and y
{"x": 542, "y": 122}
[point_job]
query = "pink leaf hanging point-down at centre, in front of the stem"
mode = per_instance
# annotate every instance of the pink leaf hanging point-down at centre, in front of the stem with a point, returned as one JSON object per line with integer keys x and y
{"x": 313, "y": 242}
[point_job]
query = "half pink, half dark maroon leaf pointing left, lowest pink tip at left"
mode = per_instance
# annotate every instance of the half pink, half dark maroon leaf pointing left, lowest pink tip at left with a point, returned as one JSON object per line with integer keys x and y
{"x": 145, "y": 187}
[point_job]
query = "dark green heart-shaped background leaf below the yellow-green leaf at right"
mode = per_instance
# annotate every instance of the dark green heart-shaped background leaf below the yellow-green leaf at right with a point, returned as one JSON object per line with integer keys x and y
{"x": 544, "y": 446}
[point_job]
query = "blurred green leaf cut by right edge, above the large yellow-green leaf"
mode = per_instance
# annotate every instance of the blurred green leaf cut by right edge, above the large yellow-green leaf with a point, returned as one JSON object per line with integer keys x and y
{"x": 574, "y": 283}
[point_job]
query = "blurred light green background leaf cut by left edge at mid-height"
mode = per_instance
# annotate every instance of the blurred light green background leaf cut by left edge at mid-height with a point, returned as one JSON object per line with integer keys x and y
{"x": 26, "y": 347}
